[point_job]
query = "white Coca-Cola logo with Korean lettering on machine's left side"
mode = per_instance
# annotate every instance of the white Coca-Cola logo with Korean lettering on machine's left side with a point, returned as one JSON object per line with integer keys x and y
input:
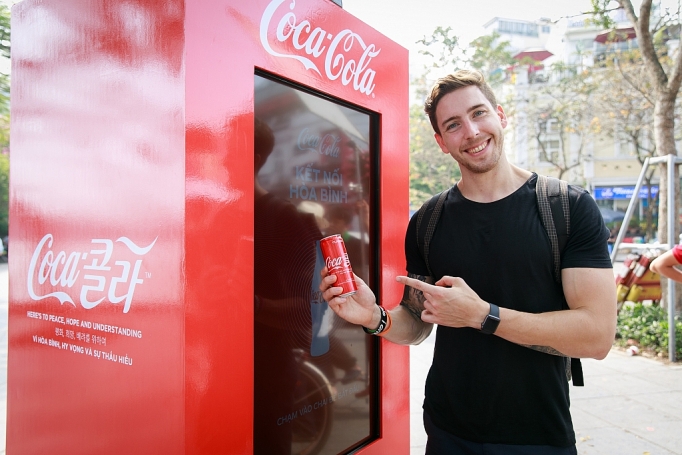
{"x": 101, "y": 279}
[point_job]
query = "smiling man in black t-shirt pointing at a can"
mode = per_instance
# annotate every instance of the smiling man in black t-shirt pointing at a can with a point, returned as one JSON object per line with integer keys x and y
{"x": 495, "y": 389}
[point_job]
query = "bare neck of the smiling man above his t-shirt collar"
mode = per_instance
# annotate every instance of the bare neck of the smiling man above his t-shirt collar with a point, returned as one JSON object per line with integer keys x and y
{"x": 493, "y": 185}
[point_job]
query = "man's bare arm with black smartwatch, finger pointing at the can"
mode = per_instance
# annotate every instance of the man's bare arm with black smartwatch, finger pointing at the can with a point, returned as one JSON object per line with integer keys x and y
{"x": 586, "y": 329}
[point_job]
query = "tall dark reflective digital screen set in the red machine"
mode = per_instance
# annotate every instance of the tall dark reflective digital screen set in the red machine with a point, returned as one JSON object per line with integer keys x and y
{"x": 314, "y": 373}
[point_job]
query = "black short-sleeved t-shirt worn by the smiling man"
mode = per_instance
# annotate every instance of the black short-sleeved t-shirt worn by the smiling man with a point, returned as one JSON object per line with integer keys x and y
{"x": 483, "y": 388}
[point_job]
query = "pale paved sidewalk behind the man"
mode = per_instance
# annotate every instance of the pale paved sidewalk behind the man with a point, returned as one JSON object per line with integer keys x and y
{"x": 629, "y": 405}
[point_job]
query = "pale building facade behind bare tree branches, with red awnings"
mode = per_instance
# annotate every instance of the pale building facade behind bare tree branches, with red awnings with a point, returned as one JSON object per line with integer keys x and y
{"x": 544, "y": 135}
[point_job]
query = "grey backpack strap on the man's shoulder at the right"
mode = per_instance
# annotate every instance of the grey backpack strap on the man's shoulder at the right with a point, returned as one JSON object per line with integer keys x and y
{"x": 553, "y": 203}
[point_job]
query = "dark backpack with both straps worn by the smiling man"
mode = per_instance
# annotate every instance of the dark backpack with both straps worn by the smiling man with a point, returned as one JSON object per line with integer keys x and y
{"x": 553, "y": 203}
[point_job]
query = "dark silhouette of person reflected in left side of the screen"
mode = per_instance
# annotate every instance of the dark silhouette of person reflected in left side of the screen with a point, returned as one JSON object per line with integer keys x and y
{"x": 284, "y": 264}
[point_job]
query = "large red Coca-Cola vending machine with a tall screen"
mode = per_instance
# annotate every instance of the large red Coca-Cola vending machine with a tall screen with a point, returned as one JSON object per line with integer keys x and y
{"x": 174, "y": 166}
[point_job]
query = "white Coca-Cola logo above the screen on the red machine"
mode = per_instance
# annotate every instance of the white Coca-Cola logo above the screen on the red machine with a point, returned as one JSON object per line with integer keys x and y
{"x": 345, "y": 54}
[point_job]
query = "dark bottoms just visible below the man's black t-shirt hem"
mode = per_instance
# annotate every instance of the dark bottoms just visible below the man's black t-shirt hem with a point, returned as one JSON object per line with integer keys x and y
{"x": 443, "y": 443}
